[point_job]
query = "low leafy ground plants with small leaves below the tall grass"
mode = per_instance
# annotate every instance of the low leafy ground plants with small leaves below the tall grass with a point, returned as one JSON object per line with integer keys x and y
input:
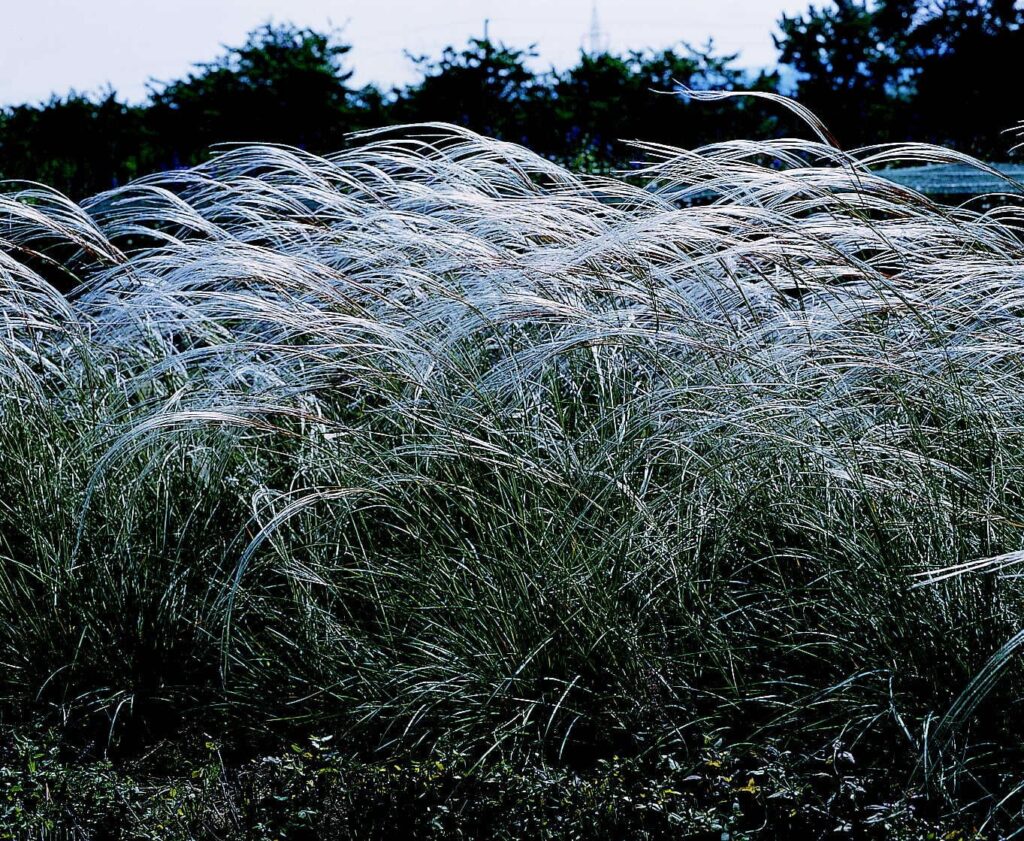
{"x": 313, "y": 790}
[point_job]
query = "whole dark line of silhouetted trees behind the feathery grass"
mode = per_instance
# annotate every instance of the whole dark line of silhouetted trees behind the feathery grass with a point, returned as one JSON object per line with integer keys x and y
{"x": 876, "y": 71}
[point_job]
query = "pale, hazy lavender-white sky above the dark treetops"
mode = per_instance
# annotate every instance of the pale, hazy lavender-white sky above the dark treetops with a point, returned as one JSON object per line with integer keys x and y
{"x": 53, "y": 47}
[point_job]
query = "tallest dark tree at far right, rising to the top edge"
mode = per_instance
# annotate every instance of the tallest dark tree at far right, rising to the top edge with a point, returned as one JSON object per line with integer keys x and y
{"x": 911, "y": 70}
